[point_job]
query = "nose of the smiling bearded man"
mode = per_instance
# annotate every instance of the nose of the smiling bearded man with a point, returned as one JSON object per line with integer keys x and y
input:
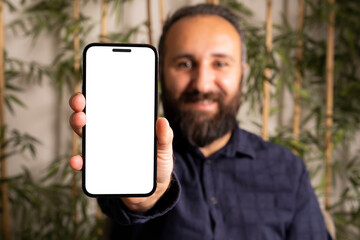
{"x": 203, "y": 78}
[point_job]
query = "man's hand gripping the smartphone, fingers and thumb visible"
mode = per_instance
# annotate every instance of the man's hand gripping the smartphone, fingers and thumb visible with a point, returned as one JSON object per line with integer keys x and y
{"x": 164, "y": 155}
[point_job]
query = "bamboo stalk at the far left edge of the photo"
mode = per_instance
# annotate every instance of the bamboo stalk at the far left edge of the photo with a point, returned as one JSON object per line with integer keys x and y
{"x": 5, "y": 220}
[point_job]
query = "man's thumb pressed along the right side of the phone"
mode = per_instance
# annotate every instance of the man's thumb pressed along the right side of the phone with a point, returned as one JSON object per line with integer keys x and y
{"x": 164, "y": 135}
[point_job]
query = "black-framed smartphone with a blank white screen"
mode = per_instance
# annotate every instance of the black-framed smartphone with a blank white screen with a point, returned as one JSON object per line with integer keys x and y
{"x": 119, "y": 141}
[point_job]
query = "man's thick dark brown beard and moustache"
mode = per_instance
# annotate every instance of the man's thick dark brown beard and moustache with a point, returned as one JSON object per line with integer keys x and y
{"x": 198, "y": 127}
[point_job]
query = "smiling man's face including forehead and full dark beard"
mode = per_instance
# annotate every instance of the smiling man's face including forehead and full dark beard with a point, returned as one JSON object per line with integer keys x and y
{"x": 202, "y": 74}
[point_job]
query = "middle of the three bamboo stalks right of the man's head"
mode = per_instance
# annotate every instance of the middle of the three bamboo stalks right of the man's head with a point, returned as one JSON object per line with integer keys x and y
{"x": 298, "y": 72}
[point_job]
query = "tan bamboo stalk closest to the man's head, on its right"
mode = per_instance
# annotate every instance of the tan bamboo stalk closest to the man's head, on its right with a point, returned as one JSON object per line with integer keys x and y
{"x": 267, "y": 73}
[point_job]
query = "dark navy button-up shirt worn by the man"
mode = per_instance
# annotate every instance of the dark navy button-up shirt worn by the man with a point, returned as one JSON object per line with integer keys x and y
{"x": 250, "y": 189}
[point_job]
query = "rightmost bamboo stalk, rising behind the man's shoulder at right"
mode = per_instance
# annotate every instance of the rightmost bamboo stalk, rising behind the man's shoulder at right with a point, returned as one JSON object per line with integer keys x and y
{"x": 329, "y": 102}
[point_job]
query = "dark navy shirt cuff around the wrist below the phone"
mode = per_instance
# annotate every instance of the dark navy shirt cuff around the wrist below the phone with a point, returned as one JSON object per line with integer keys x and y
{"x": 114, "y": 208}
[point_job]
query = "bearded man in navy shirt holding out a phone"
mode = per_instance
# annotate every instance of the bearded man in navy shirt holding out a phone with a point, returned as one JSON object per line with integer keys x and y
{"x": 226, "y": 183}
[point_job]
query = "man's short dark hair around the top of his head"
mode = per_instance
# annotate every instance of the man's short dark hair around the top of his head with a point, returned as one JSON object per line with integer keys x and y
{"x": 202, "y": 9}
